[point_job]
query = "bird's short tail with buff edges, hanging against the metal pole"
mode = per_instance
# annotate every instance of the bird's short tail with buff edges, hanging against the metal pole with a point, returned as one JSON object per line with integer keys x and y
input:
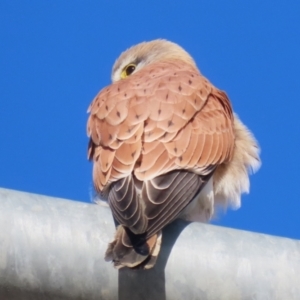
{"x": 124, "y": 252}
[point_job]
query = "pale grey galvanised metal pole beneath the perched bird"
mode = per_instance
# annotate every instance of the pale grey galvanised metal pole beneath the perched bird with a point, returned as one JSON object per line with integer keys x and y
{"x": 53, "y": 249}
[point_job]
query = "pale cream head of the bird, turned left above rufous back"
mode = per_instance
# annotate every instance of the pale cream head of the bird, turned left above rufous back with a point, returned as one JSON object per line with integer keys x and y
{"x": 146, "y": 53}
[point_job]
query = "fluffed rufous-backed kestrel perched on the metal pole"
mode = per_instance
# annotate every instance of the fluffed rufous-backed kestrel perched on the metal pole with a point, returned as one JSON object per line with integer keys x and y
{"x": 165, "y": 144}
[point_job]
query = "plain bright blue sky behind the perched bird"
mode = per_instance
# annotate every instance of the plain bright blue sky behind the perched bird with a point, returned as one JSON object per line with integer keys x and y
{"x": 56, "y": 55}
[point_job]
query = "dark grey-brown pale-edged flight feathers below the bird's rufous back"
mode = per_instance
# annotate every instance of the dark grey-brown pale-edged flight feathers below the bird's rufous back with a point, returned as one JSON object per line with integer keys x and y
{"x": 157, "y": 204}
